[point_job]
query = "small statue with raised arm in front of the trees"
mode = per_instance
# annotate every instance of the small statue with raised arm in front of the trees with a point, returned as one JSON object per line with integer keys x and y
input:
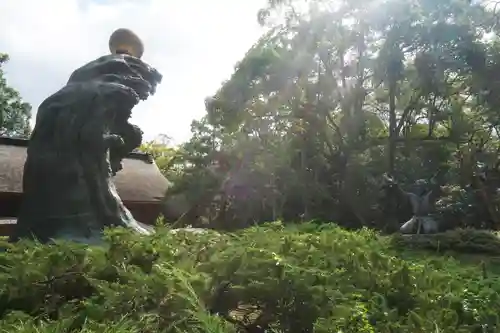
{"x": 420, "y": 200}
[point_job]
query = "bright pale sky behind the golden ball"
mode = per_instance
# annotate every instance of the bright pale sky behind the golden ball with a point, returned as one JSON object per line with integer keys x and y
{"x": 195, "y": 44}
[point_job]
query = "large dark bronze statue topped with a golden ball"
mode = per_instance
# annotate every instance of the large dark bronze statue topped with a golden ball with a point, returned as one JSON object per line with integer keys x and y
{"x": 80, "y": 137}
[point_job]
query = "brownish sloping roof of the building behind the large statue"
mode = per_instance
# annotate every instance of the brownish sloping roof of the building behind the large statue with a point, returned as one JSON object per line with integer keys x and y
{"x": 139, "y": 181}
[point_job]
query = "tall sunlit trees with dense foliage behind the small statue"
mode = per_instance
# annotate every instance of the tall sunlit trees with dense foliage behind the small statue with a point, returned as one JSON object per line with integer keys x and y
{"x": 336, "y": 94}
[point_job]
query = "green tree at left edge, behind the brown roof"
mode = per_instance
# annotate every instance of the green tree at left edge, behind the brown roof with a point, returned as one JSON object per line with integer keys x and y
{"x": 14, "y": 113}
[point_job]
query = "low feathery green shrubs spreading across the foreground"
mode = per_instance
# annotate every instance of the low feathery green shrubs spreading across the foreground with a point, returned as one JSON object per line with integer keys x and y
{"x": 304, "y": 278}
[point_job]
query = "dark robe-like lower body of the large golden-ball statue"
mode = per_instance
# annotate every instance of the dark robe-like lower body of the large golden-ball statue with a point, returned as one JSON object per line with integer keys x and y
{"x": 67, "y": 186}
